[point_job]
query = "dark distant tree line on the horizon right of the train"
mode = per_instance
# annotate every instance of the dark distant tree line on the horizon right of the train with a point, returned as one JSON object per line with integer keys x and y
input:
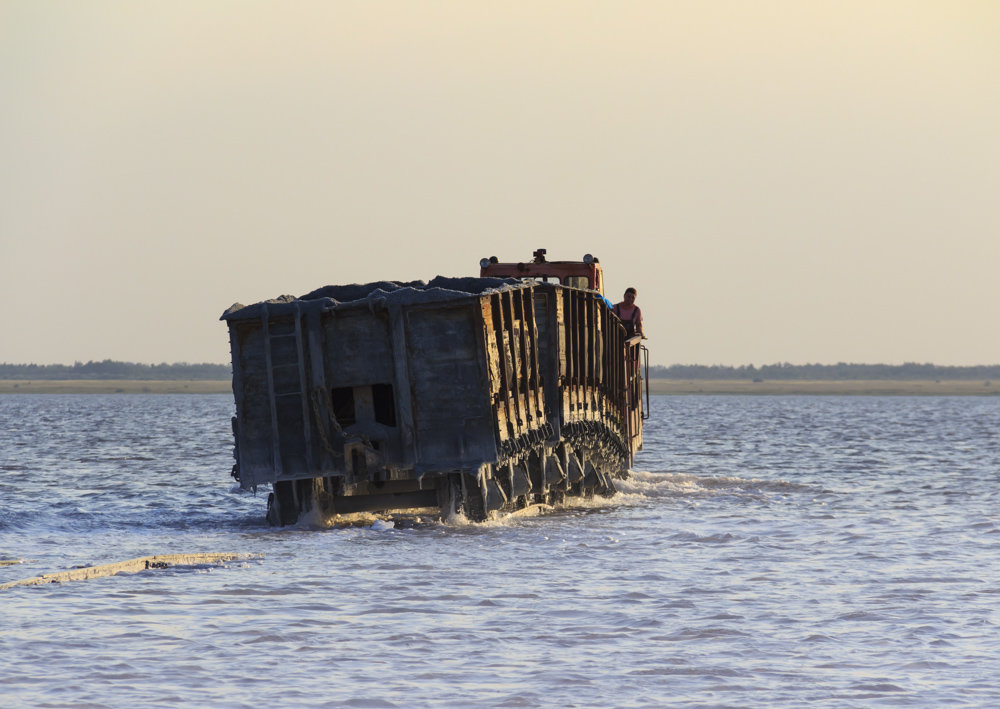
{"x": 844, "y": 371}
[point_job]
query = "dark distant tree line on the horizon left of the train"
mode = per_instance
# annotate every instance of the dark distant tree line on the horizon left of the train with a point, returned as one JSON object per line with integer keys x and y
{"x": 109, "y": 369}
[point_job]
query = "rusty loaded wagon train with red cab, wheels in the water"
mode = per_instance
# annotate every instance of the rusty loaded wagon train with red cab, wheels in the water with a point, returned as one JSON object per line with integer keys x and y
{"x": 477, "y": 396}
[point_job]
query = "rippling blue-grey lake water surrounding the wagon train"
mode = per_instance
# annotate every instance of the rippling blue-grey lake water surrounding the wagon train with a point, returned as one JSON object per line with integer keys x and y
{"x": 771, "y": 552}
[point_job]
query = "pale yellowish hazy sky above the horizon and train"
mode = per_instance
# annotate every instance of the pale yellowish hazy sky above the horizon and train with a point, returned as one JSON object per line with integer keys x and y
{"x": 781, "y": 181}
